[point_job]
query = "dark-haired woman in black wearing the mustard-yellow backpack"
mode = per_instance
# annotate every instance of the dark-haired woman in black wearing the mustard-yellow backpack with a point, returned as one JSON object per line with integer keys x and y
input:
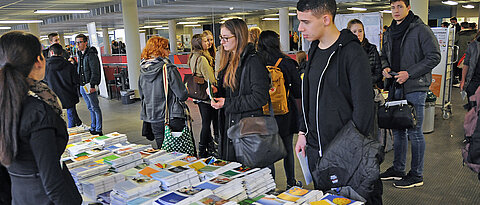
{"x": 269, "y": 49}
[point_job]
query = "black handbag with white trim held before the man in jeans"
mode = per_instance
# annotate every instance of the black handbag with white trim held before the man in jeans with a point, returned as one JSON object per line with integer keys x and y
{"x": 397, "y": 113}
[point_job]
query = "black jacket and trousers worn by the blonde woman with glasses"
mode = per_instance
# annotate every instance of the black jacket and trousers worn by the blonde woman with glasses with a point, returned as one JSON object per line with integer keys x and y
{"x": 238, "y": 105}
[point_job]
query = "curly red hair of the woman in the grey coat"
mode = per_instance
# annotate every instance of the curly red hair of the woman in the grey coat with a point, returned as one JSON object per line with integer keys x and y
{"x": 156, "y": 47}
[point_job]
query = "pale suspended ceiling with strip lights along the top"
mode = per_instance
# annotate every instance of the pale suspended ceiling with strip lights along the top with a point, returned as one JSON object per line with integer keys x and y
{"x": 107, "y": 13}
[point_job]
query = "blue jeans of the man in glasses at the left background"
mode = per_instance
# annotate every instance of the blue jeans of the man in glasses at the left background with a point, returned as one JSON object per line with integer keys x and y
{"x": 95, "y": 113}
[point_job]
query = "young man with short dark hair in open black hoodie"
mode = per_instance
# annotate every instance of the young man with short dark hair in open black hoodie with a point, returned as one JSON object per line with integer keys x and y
{"x": 336, "y": 86}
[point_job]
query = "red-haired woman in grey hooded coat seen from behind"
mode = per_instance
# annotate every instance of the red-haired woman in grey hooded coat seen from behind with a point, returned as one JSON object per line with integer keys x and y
{"x": 150, "y": 85}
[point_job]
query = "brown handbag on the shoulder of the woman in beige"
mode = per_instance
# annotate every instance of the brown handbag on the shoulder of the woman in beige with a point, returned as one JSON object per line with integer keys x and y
{"x": 196, "y": 86}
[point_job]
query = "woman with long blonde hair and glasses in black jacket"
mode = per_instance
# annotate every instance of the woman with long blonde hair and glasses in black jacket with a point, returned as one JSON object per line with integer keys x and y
{"x": 237, "y": 57}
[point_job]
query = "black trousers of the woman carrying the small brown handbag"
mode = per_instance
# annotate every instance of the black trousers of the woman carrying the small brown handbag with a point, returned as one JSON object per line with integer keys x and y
{"x": 209, "y": 116}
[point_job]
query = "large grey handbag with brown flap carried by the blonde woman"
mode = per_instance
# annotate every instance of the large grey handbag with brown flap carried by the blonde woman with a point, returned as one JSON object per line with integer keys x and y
{"x": 256, "y": 140}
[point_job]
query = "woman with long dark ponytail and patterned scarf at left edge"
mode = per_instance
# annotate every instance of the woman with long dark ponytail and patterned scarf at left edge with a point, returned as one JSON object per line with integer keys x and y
{"x": 33, "y": 135}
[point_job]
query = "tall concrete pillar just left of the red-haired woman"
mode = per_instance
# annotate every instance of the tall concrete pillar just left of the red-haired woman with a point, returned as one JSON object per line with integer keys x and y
{"x": 132, "y": 39}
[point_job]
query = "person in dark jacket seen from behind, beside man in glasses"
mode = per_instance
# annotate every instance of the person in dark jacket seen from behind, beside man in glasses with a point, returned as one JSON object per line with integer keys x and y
{"x": 62, "y": 78}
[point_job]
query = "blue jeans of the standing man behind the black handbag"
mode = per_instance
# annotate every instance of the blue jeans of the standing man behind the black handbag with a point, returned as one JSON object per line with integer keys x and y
{"x": 415, "y": 135}
